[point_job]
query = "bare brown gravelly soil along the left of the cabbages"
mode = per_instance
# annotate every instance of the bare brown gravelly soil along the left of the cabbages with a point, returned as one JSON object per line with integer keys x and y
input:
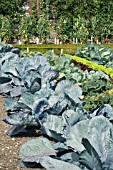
{"x": 9, "y": 146}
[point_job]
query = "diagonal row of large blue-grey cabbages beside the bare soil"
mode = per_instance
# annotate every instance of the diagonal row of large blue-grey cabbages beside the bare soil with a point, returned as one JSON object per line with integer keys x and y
{"x": 36, "y": 98}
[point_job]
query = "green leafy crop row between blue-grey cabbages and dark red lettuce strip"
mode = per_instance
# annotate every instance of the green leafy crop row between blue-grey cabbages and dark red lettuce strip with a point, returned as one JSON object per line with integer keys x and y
{"x": 93, "y": 83}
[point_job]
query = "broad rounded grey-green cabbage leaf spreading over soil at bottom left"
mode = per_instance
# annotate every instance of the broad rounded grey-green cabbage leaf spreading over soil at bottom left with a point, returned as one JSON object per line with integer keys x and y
{"x": 27, "y": 154}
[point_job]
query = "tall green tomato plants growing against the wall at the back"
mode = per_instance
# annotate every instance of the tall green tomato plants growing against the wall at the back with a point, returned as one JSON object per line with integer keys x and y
{"x": 81, "y": 19}
